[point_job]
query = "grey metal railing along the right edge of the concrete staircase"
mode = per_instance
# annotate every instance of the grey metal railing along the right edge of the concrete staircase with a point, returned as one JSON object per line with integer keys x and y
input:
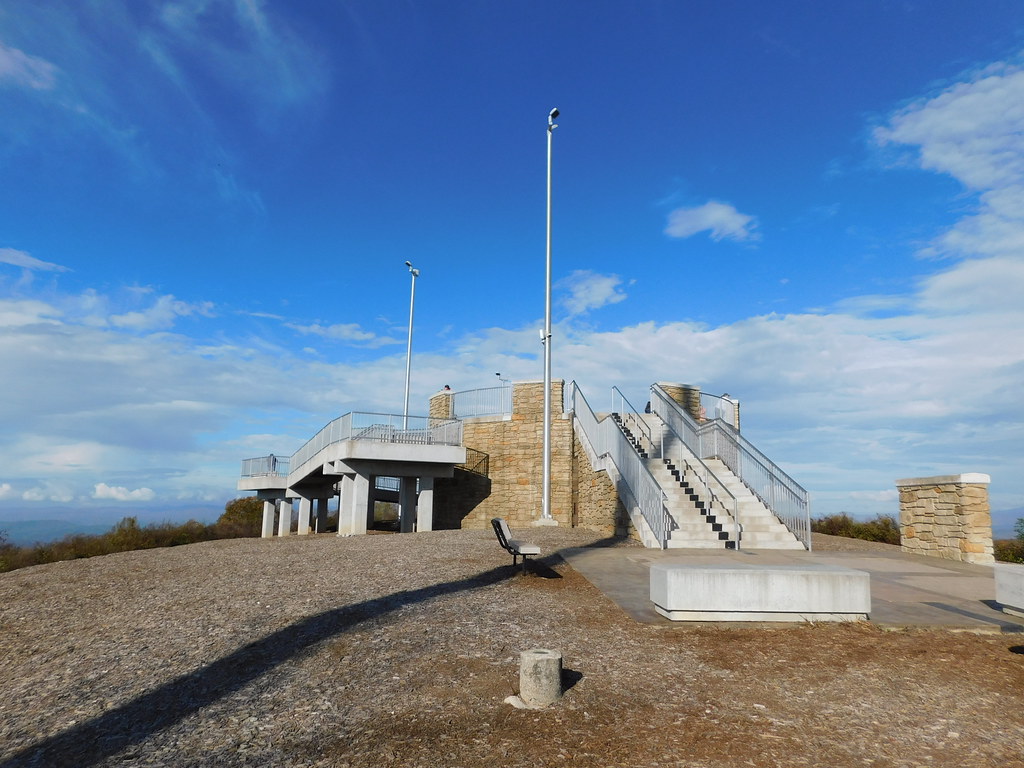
{"x": 776, "y": 489}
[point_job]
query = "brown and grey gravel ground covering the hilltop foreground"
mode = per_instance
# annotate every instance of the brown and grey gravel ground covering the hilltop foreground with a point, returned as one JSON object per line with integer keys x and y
{"x": 400, "y": 651}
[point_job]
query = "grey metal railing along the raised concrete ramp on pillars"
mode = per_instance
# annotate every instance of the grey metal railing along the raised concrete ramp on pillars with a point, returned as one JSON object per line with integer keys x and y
{"x": 419, "y": 431}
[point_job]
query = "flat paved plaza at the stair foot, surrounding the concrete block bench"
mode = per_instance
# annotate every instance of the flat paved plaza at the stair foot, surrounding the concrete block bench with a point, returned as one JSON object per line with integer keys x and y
{"x": 907, "y": 590}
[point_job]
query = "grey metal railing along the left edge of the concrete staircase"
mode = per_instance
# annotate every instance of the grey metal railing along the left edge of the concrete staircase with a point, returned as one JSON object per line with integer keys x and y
{"x": 608, "y": 440}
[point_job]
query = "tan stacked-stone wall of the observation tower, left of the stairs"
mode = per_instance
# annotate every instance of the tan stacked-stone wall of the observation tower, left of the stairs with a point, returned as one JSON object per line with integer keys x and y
{"x": 503, "y": 476}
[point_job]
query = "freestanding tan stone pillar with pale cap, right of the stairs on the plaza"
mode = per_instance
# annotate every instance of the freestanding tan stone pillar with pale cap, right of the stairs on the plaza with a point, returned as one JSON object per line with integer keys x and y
{"x": 947, "y": 517}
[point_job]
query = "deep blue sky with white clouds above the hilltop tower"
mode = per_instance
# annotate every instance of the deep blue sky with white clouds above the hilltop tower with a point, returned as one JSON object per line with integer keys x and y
{"x": 206, "y": 206}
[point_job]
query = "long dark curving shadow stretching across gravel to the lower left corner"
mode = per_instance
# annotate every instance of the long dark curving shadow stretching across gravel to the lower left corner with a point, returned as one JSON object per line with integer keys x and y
{"x": 94, "y": 741}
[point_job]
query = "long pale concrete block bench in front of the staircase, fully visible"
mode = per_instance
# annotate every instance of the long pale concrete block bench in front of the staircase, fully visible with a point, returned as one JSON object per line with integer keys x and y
{"x": 750, "y": 593}
